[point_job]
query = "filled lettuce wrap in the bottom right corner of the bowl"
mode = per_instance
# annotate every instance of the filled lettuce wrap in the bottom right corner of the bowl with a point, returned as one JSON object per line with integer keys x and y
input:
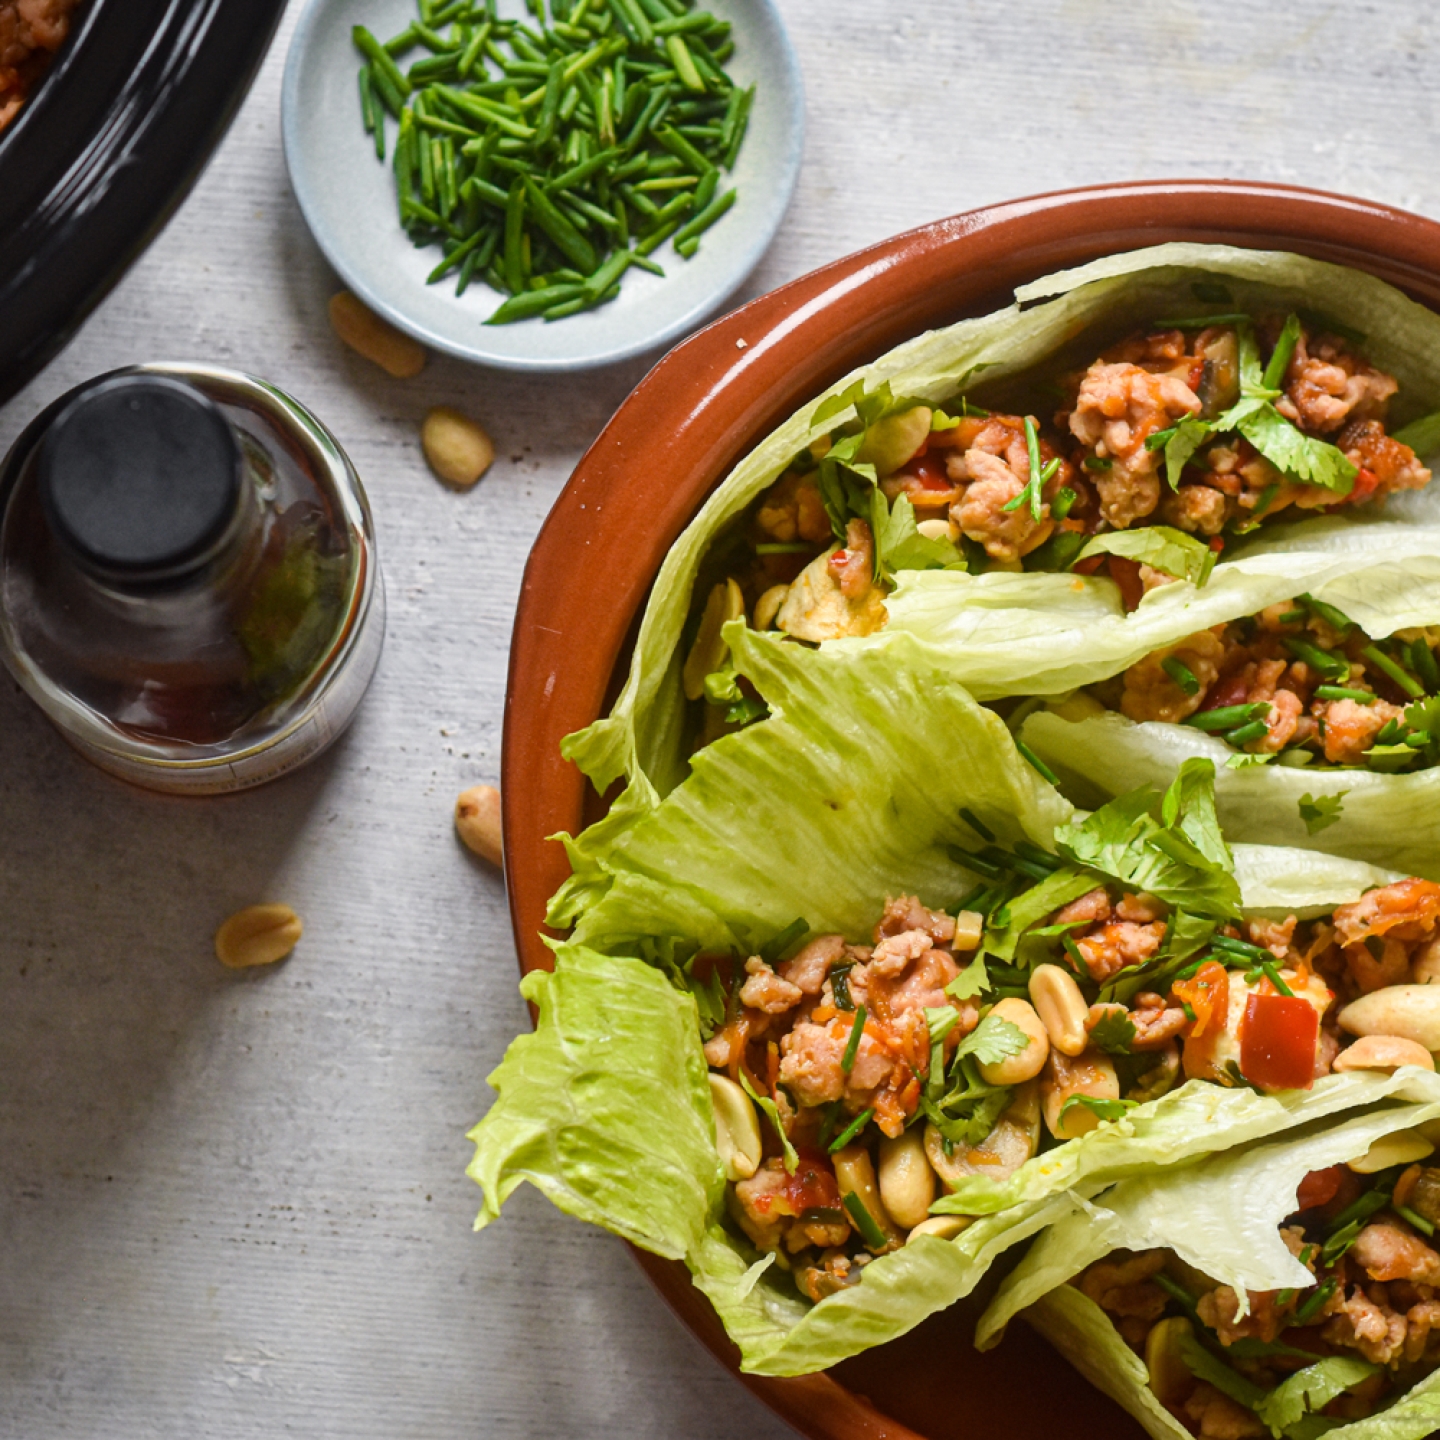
{"x": 1246, "y": 1330}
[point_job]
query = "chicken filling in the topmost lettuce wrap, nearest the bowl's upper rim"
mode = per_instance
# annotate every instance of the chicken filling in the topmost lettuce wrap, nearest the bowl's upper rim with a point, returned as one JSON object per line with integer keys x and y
{"x": 1030, "y": 492}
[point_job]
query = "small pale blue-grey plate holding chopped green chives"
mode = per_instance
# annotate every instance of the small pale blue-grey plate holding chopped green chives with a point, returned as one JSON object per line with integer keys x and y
{"x": 348, "y": 198}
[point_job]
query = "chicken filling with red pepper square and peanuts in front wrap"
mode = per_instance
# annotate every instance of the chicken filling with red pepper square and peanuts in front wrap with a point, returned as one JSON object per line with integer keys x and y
{"x": 875, "y": 1078}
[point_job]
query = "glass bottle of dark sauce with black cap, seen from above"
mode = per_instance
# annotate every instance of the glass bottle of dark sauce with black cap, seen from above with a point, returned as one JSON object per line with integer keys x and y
{"x": 189, "y": 584}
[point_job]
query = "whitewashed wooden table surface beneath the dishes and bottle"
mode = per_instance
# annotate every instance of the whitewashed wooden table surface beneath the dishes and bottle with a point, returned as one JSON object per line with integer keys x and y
{"x": 235, "y": 1206}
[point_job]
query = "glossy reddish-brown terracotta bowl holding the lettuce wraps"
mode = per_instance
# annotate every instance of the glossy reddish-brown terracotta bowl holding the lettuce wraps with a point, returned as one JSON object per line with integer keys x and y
{"x": 669, "y": 446}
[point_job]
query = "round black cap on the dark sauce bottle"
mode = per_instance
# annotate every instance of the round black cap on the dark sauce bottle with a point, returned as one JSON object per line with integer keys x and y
{"x": 140, "y": 477}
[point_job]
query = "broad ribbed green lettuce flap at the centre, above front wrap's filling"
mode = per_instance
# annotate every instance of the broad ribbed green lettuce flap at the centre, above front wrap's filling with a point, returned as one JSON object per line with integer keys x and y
{"x": 850, "y": 791}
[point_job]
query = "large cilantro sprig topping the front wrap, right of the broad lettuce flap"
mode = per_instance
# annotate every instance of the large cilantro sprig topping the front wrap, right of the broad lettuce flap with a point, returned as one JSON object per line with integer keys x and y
{"x": 1177, "y": 855}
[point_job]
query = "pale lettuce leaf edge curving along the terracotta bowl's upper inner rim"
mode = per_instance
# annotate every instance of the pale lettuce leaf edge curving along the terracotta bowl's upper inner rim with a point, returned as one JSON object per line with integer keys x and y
{"x": 642, "y": 738}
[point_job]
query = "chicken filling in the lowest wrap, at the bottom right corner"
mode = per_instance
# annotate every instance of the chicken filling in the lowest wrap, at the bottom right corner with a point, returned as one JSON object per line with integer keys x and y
{"x": 1367, "y": 1239}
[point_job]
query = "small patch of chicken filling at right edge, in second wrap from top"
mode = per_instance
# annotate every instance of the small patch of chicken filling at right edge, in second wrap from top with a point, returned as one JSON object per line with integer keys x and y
{"x": 1298, "y": 683}
